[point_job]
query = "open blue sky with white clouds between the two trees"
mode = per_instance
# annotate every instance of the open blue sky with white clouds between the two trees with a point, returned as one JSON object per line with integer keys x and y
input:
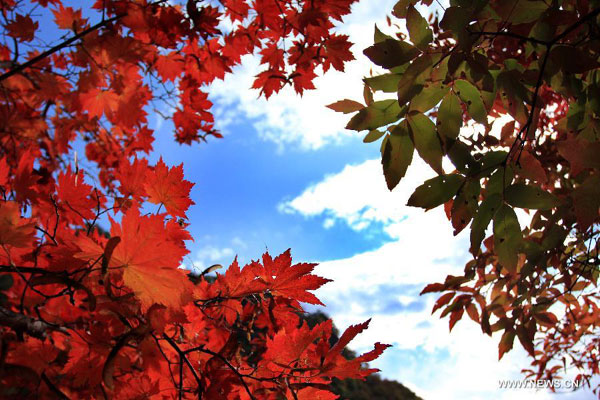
{"x": 287, "y": 175}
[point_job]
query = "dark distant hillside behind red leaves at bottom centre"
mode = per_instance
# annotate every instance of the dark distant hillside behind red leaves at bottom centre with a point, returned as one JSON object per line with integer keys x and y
{"x": 373, "y": 388}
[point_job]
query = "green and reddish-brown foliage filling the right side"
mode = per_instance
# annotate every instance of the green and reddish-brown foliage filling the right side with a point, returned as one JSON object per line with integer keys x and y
{"x": 529, "y": 189}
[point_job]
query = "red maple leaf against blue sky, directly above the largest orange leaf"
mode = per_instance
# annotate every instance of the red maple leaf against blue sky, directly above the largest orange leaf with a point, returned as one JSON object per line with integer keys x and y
{"x": 167, "y": 186}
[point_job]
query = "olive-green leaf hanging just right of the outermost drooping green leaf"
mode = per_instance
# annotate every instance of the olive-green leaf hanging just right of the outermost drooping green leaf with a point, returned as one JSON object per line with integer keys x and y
{"x": 426, "y": 141}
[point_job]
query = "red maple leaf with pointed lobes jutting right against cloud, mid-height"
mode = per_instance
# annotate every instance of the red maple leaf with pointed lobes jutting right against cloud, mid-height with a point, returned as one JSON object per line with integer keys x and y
{"x": 292, "y": 281}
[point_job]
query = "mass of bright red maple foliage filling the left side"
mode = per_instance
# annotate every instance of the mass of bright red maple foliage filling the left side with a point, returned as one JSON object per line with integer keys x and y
{"x": 86, "y": 313}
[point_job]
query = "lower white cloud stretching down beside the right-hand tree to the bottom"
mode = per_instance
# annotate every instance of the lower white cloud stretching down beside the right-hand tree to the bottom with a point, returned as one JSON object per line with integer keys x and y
{"x": 385, "y": 283}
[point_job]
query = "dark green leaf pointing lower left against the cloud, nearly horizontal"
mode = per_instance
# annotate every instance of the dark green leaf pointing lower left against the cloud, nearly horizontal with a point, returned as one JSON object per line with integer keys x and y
{"x": 436, "y": 191}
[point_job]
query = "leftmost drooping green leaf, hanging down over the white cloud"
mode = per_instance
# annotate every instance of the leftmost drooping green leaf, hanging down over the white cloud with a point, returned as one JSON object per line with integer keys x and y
{"x": 397, "y": 154}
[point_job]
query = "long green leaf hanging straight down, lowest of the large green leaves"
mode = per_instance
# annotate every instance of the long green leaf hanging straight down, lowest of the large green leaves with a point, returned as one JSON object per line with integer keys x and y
{"x": 507, "y": 237}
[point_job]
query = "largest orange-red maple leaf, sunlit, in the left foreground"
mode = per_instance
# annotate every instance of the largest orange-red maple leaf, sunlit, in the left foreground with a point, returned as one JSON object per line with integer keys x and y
{"x": 149, "y": 261}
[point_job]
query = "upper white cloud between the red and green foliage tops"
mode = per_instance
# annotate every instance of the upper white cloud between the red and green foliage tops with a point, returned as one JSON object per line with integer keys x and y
{"x": 288, "y": 118}
